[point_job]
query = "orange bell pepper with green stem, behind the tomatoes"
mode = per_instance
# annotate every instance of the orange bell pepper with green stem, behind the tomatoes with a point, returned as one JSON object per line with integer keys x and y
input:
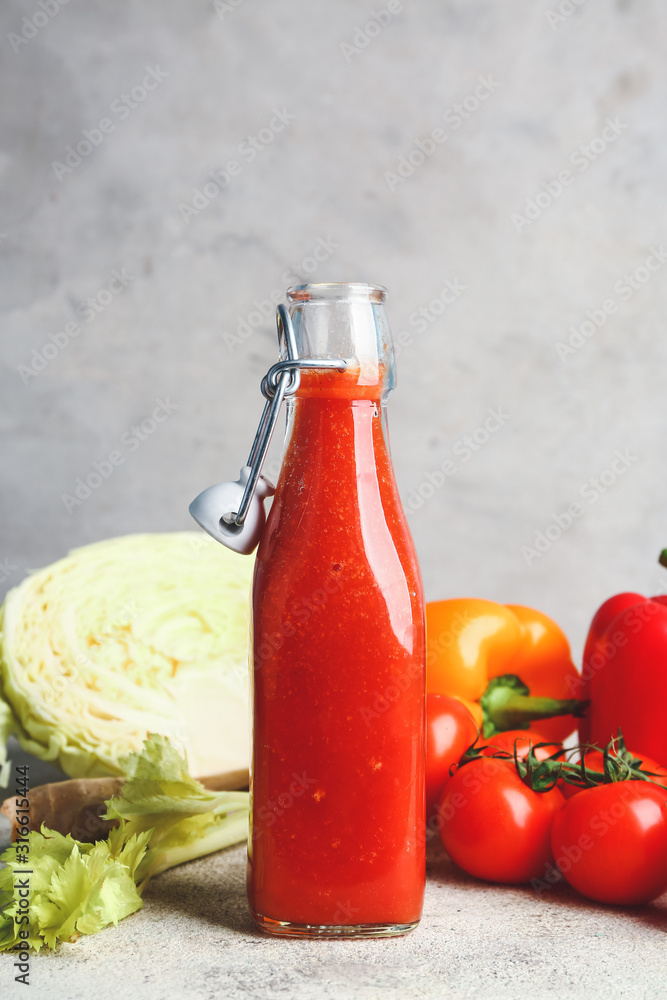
{"x": 508, "y": 664}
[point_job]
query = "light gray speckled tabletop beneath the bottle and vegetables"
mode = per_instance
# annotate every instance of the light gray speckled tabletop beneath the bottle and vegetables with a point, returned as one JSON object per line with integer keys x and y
{"x": 195, "y": 939}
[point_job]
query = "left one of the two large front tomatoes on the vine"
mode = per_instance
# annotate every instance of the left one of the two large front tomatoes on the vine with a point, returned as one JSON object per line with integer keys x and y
{"x": 494, "y": 826}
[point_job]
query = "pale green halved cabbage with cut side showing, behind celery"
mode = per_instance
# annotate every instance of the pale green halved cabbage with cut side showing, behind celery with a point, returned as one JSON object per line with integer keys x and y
{"x": 139, "y": 634}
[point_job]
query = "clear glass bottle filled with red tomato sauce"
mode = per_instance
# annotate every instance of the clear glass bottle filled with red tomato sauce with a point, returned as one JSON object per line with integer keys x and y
{"x": 338, "y": 652}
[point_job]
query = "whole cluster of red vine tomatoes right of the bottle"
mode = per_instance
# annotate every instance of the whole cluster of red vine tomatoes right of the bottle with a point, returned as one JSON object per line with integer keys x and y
{"x": 517, "y": 811}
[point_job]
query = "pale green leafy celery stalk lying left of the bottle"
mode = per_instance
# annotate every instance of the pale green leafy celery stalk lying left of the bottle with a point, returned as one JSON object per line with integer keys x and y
{"x": 56, "y": 888}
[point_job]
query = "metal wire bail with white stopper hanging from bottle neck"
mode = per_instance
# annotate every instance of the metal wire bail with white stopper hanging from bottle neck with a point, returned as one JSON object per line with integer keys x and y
{"x": 233, "y": 513}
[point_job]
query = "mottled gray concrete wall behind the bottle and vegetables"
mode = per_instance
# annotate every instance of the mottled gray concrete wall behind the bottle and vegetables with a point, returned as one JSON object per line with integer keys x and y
{"x": 355, "y": 100}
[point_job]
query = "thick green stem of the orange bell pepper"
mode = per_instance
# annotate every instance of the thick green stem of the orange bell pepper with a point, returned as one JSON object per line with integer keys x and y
{"x": 508, "y": 704}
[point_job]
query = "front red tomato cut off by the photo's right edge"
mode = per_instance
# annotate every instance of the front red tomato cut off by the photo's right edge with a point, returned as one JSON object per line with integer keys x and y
{"x": 610, "y": 842}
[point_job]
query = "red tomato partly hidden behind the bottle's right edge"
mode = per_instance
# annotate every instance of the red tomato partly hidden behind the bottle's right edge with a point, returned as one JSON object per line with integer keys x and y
{"x": 450, "y": 730}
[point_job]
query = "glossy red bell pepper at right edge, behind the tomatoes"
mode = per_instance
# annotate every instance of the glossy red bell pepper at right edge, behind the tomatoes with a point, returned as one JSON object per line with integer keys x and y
{"x": 625, "y": 674}
